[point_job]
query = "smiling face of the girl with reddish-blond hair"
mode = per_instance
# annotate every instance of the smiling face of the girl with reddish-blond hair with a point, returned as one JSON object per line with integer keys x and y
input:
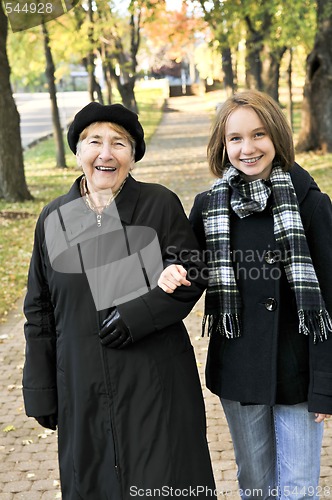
{"x": 248, "y": 145}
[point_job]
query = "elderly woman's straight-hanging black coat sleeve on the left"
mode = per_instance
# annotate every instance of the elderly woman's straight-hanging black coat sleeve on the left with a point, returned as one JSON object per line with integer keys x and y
{"x": 39, "y": 372}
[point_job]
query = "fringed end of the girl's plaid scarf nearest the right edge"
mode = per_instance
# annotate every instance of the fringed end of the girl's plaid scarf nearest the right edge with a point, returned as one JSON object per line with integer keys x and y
{"x": 316, "y": 323}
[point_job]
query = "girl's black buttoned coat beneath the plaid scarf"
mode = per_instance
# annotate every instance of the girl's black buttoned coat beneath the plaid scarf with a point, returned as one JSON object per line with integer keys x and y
{"x": 271, "y": 362}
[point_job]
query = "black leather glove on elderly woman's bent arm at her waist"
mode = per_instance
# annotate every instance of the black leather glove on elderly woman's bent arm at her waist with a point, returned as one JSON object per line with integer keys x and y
{"x": 114, "y": 333}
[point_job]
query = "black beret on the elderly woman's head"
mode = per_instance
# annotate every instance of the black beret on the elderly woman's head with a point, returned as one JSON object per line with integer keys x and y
{"x": 113, "y": 113}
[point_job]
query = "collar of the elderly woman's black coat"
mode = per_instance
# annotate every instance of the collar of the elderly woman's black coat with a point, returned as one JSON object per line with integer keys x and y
{"x": 125, "y": 202}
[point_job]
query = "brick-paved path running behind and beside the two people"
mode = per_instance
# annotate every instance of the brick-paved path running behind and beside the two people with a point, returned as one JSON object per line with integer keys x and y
{"x": 28, "y": 453}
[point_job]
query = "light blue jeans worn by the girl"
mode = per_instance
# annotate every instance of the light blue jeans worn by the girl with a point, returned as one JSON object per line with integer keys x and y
{"x": 277, "y": 450}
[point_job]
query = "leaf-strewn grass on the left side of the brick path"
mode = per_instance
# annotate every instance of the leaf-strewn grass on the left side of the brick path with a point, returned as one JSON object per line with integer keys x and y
{"x": 46, "y": 182}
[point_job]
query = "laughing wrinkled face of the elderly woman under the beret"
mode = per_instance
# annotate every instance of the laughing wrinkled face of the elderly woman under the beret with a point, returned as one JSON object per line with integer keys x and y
{"x": 106, "y": 156}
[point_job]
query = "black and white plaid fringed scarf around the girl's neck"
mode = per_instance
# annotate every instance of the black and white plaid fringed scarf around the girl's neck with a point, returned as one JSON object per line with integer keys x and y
{"x": 223, "y": 301}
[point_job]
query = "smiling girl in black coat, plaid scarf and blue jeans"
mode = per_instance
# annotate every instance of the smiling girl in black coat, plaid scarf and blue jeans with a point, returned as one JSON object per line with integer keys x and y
{"x": 265, "y": 229}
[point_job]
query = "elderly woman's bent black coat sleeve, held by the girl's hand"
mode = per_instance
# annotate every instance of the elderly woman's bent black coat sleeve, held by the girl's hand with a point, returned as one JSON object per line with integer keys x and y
{"x": 156, "y": 309}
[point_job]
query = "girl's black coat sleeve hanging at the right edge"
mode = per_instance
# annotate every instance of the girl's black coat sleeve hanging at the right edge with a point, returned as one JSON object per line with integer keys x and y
{"x": 319, "y": 237}
